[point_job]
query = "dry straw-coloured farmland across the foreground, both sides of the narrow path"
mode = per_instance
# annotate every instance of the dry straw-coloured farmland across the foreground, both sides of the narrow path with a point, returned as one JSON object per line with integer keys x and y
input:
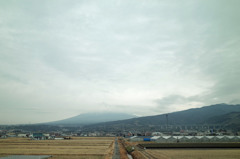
{"x": 103, "y": 148}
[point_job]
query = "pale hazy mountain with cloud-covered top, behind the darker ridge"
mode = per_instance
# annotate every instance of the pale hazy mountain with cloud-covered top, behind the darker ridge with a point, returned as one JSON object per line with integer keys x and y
{"x": 91, "y": 118}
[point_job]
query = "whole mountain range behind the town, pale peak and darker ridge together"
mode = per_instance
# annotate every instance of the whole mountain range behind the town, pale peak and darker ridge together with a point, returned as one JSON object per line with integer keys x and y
{"x": 223, "y": 115}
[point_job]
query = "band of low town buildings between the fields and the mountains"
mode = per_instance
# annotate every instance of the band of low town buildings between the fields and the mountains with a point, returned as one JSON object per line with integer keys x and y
{"x": 50, "y": 133}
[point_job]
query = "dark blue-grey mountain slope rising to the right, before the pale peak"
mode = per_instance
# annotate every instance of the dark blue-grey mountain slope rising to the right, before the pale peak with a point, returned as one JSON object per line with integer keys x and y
{"x": 196, "y": 116}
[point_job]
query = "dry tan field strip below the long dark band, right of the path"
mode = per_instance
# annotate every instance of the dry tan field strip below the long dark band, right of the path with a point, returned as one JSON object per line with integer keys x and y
{"x": 193, "y": 153}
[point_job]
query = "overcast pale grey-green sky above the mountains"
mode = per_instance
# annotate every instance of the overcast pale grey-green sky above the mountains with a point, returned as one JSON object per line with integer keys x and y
{"x": 61, "y": 58}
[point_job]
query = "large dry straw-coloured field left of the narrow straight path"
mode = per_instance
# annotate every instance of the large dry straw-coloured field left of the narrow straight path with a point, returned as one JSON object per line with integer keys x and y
{"x": 79, "y": 147}
